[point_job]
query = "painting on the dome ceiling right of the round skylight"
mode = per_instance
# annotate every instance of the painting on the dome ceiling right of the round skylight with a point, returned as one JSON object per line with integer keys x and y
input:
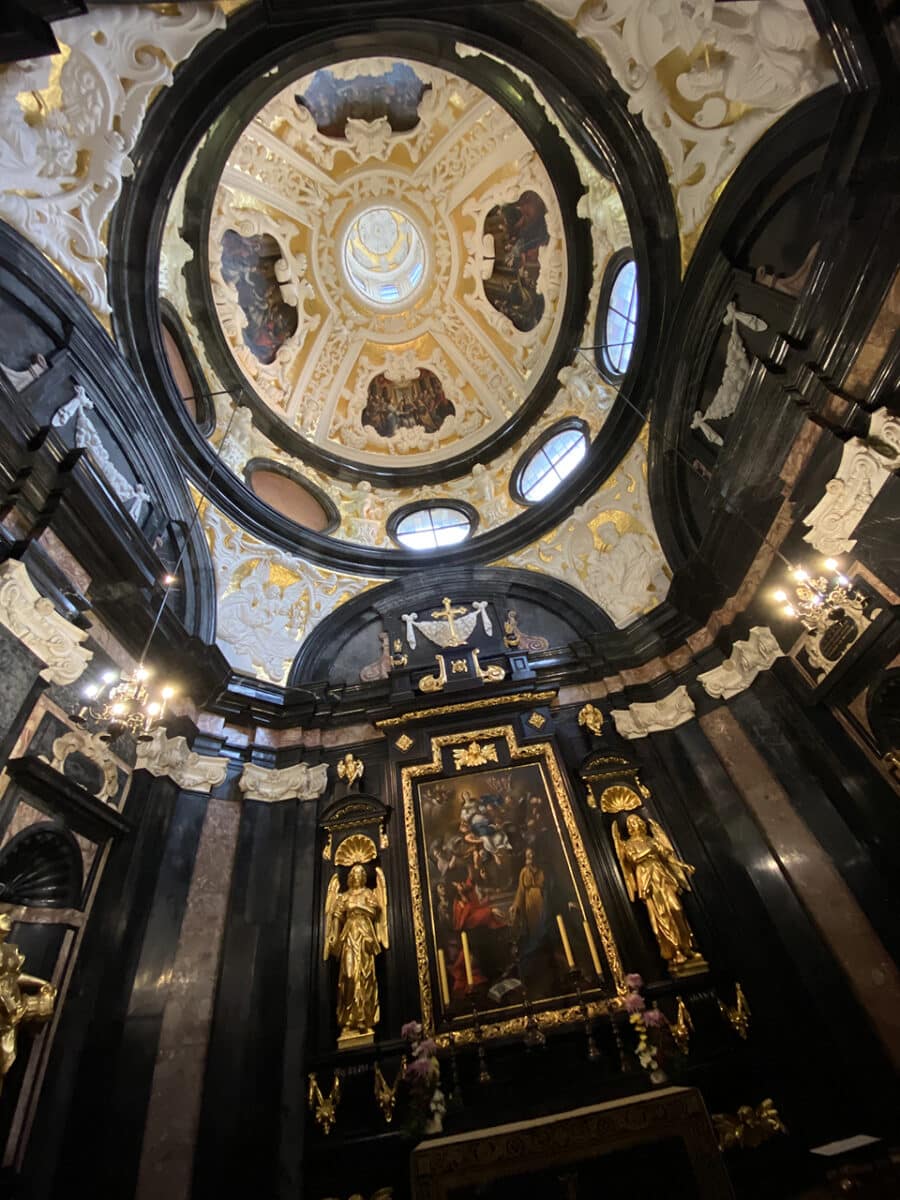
{"x": 519, "y": 231}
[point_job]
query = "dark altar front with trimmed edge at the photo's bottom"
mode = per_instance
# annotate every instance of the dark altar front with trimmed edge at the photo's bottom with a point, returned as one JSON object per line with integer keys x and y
{"x": 656, "y": 1144}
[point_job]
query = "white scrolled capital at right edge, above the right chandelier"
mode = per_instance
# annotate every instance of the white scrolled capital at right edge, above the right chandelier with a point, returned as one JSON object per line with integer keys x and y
{"x": 865, "y": 469}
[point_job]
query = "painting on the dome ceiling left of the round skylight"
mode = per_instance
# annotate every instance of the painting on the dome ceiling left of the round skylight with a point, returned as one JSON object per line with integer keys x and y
{"x": 249, "y": 265}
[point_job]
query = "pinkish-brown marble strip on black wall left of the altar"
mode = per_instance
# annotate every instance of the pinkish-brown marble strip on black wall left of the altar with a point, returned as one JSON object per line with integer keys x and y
{"x": 171, "y": 1132}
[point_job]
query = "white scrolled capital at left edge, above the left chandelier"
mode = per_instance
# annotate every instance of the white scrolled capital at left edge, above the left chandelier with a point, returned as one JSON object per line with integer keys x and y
{"x": 37, "y": 623}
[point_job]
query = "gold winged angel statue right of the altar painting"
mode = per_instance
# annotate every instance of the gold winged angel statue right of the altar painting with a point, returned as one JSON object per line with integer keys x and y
{"x": 655, "y": 874}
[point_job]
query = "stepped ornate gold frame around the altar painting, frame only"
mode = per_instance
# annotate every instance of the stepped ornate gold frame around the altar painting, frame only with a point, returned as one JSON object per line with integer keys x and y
{"x": 535, "y": 752}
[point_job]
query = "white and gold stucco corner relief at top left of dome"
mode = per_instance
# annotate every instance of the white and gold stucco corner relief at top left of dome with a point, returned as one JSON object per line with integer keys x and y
{"x": 63, "y": 160}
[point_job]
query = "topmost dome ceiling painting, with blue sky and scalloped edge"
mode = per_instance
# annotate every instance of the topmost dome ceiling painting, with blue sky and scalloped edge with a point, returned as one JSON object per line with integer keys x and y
{"x": 397, "y": 94}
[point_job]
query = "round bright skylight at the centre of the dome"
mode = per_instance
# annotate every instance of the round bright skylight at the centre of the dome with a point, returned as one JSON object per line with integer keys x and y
{"x": 385, "y": 257}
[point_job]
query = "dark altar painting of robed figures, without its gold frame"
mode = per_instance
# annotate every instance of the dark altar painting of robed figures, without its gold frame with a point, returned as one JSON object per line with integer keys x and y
{"x": 500, "y": 867}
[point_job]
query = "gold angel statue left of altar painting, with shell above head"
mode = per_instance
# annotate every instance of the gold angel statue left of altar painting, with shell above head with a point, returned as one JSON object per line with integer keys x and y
{"x": 356, "y": 932}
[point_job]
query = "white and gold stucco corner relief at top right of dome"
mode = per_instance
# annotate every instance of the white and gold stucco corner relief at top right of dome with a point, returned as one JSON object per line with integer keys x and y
{"x": 707, "y": 83}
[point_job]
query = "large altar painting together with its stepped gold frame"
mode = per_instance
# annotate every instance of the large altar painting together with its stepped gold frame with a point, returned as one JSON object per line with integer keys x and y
{"x": 472, "y": 803}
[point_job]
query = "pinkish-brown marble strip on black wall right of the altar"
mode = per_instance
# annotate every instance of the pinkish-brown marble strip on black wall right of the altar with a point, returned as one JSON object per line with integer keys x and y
{"x": 843, "y": 925}
